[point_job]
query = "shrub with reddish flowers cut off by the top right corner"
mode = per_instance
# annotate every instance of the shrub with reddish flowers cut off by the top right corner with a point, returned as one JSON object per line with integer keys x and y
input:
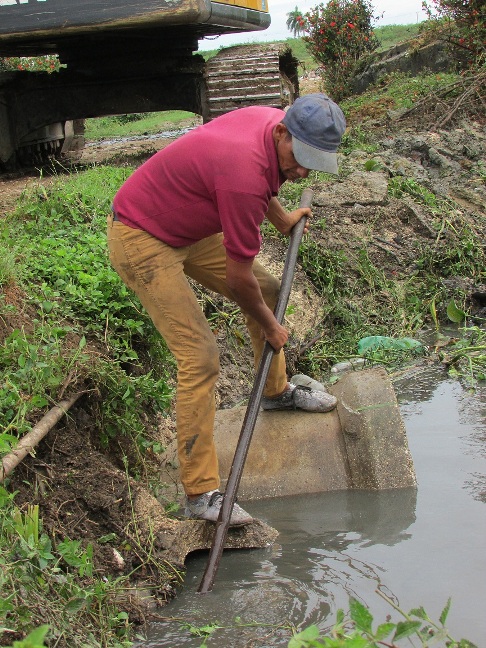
{"x": 461, "y": 22}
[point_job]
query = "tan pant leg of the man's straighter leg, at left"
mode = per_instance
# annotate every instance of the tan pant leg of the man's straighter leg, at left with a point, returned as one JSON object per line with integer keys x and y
{"x": 154, "y": 271}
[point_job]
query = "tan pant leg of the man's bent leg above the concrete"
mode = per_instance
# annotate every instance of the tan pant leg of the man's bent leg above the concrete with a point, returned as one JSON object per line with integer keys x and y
{"x": 206, "y": 263}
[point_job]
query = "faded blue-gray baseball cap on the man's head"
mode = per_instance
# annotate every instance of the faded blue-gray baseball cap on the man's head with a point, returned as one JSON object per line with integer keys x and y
{"x": 316, "y": 124}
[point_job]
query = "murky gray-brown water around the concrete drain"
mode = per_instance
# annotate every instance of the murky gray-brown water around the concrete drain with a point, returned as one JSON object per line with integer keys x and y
{"x": 418, "y": 546}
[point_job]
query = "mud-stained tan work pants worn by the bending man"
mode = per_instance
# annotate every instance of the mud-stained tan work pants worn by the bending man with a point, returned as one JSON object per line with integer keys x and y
{"x": 156, "y": 272}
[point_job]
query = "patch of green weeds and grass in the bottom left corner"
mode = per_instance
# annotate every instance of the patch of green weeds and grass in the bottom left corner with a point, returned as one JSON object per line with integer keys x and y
{"x": 32, "y": 568}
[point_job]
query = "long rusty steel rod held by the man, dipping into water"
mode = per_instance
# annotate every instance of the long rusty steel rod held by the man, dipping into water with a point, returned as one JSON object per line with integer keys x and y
{"x": 253, "y": 407}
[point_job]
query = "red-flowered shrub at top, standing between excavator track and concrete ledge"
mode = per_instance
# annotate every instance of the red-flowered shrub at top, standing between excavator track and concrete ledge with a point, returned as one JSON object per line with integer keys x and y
{"x": 337, "y": 35}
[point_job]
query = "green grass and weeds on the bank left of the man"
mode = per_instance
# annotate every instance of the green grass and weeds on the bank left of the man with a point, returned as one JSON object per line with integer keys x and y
{"x": 58, "y": 238}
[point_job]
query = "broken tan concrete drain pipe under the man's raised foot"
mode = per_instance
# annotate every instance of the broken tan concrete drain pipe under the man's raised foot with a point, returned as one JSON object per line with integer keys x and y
{"x": 362, "y": 444}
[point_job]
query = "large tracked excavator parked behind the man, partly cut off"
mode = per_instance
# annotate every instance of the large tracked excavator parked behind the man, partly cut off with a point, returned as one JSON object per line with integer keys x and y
{"x": 118, "y": 57}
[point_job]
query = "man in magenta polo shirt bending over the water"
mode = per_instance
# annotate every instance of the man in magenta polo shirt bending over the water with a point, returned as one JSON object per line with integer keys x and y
{"x": 194, "y": 209}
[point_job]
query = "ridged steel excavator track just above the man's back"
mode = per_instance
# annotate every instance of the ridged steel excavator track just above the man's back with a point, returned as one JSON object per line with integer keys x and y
{"x": 250, "y": 75}
